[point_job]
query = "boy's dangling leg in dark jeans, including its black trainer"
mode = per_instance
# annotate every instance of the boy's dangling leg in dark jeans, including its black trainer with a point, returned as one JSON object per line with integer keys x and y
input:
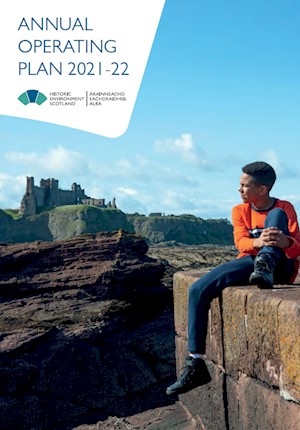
{"x": 201, "y": 294}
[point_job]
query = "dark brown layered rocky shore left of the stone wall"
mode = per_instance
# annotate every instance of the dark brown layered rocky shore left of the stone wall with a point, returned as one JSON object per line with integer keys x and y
{"x": 87, "y": 333}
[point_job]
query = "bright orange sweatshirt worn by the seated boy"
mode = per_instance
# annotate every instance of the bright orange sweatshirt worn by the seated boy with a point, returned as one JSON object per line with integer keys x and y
{"x": 247, "y": 221}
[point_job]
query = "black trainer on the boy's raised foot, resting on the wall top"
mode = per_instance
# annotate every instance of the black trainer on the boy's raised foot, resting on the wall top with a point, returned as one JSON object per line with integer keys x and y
{"x": 264, "y": 266}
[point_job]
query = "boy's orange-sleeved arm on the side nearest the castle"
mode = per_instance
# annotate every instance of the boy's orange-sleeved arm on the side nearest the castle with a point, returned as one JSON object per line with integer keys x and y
{"x": 241, "y": 235}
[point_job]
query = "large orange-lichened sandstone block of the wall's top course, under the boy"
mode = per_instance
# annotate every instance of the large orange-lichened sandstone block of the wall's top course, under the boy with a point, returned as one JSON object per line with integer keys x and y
{"x": 261, "y": 336}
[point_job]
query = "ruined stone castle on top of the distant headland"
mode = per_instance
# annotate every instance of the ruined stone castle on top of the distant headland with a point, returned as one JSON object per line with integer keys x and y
{"x": 49, "y": 195}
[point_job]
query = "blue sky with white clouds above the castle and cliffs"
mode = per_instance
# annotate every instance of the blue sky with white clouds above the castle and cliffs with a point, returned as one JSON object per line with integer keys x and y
{"x": 221, "y": 89}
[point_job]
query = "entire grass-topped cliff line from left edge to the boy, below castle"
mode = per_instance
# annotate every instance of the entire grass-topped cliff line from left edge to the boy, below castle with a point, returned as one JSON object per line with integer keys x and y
{"x": 69, "y": 221}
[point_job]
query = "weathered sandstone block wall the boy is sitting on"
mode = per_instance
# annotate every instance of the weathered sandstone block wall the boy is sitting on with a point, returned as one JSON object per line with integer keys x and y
{"x": 253, "y": 355}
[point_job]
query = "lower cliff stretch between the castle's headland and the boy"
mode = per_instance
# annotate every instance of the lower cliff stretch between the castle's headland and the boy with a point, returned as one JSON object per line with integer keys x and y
{"x": 186, "y": 229}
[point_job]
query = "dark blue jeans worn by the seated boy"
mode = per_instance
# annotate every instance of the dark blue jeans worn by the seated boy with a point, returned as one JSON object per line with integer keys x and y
{"x": 236, "y": 272}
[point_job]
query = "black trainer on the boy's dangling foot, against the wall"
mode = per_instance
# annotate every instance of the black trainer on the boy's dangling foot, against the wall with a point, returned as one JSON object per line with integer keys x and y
{"x": 195, "y": 374}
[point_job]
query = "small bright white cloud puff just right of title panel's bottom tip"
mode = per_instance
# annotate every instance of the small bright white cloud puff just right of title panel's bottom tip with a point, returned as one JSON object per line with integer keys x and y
{"x": 183, "y": 147}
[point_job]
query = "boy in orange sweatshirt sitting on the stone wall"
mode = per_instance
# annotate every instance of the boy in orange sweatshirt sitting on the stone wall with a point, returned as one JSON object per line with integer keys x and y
{"x": 266, "y": 234}
